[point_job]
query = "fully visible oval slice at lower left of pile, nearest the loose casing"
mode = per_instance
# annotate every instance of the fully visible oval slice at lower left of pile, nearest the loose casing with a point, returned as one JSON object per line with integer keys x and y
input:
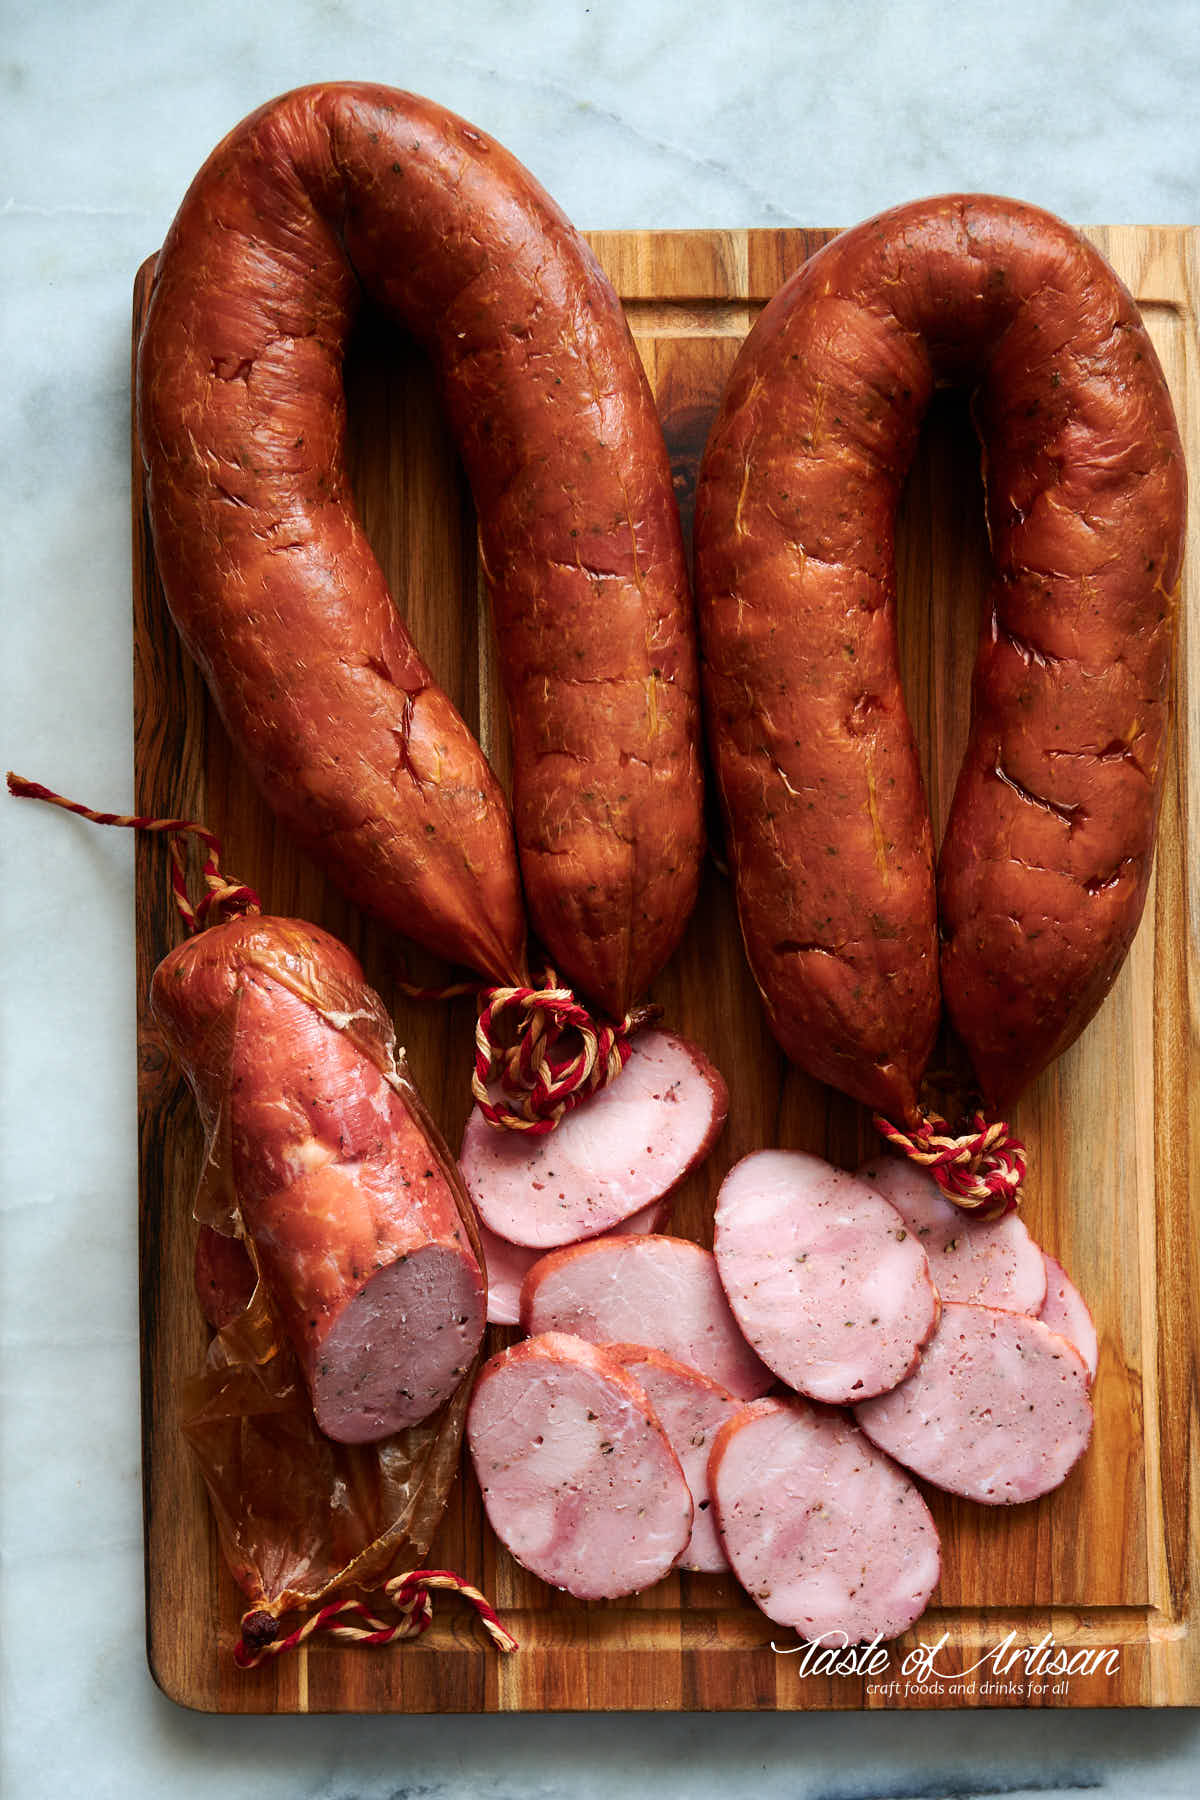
{"x": 578, "y": 1477}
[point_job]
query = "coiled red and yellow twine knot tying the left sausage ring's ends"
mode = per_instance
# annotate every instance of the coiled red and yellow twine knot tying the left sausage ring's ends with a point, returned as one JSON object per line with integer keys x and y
{"x": 539, "y": 1054}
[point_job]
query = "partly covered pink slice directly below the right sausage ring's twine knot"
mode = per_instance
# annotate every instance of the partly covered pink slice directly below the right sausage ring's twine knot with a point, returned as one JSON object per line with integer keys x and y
{"x": 990, "y": 1263}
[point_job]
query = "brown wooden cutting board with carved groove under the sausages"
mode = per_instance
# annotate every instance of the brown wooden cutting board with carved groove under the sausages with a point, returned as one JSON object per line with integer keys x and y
{"x": 1111, "y": 1561}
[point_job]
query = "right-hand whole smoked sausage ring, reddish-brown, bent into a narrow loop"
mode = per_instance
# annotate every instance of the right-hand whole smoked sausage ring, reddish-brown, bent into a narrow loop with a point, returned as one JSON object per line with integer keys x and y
{"x": 1050, "y": 841}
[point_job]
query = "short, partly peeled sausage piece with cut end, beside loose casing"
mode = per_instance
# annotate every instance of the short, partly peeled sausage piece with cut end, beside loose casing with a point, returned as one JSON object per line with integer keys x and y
{"x": 319, "y": 1146}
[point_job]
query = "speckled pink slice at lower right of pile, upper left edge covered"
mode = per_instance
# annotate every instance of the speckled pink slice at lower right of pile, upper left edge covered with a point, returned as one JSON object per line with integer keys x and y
{"x": 998, "y": 1408}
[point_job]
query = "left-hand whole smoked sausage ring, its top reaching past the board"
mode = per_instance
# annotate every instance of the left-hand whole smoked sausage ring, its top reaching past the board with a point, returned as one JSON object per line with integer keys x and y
{"x": 282, "y": 602}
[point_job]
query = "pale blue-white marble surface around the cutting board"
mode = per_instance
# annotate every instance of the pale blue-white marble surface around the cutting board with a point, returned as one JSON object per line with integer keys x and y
{"x": 661, "y": 112}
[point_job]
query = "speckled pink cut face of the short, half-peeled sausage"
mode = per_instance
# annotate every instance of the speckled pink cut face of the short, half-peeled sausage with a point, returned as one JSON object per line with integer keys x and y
{"x": 400, "y": 1347}
